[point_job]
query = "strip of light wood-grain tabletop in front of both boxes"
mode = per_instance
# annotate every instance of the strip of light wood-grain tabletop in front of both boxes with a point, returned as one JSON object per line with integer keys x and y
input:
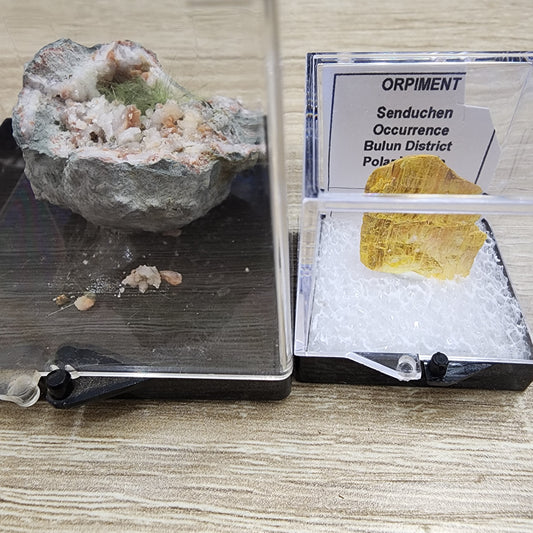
{"x": 328, "y": 458}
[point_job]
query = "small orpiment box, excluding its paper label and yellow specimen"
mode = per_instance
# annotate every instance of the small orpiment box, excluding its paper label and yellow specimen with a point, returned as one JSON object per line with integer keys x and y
{"x": 394, "y": 323}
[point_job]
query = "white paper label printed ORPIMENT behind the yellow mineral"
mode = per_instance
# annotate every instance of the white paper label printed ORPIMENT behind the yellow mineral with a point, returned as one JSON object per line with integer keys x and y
{"x": 373, "y": 115}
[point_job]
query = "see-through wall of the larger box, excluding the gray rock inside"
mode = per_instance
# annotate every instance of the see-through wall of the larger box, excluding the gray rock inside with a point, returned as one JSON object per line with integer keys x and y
{"x": 228, "y": 318}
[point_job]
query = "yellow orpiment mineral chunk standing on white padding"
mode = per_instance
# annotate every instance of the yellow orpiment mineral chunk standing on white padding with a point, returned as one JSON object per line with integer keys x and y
{"x": 439, "y": 246}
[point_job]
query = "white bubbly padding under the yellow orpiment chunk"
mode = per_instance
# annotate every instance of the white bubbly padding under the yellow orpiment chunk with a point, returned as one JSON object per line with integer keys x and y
{"x": 357, "y": 309}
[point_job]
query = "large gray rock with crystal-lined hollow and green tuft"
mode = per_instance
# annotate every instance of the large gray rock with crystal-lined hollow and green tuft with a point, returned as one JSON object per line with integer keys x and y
{"x": 108, "y": 134}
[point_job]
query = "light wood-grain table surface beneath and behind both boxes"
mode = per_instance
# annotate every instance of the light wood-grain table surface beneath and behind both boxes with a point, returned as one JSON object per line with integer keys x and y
{"x": 329, "y": 458}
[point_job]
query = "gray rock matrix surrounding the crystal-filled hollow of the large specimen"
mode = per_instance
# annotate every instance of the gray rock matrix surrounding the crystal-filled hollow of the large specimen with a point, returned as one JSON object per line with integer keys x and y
{"x": 109, "y": 190}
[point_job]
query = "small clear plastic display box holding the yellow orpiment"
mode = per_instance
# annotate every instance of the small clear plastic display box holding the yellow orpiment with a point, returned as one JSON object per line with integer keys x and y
{"x": 357, "y": 325}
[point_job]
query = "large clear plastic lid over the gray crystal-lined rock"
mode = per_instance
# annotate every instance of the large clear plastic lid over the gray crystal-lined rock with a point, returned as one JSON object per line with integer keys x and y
{"x": 204, "y": 298}
